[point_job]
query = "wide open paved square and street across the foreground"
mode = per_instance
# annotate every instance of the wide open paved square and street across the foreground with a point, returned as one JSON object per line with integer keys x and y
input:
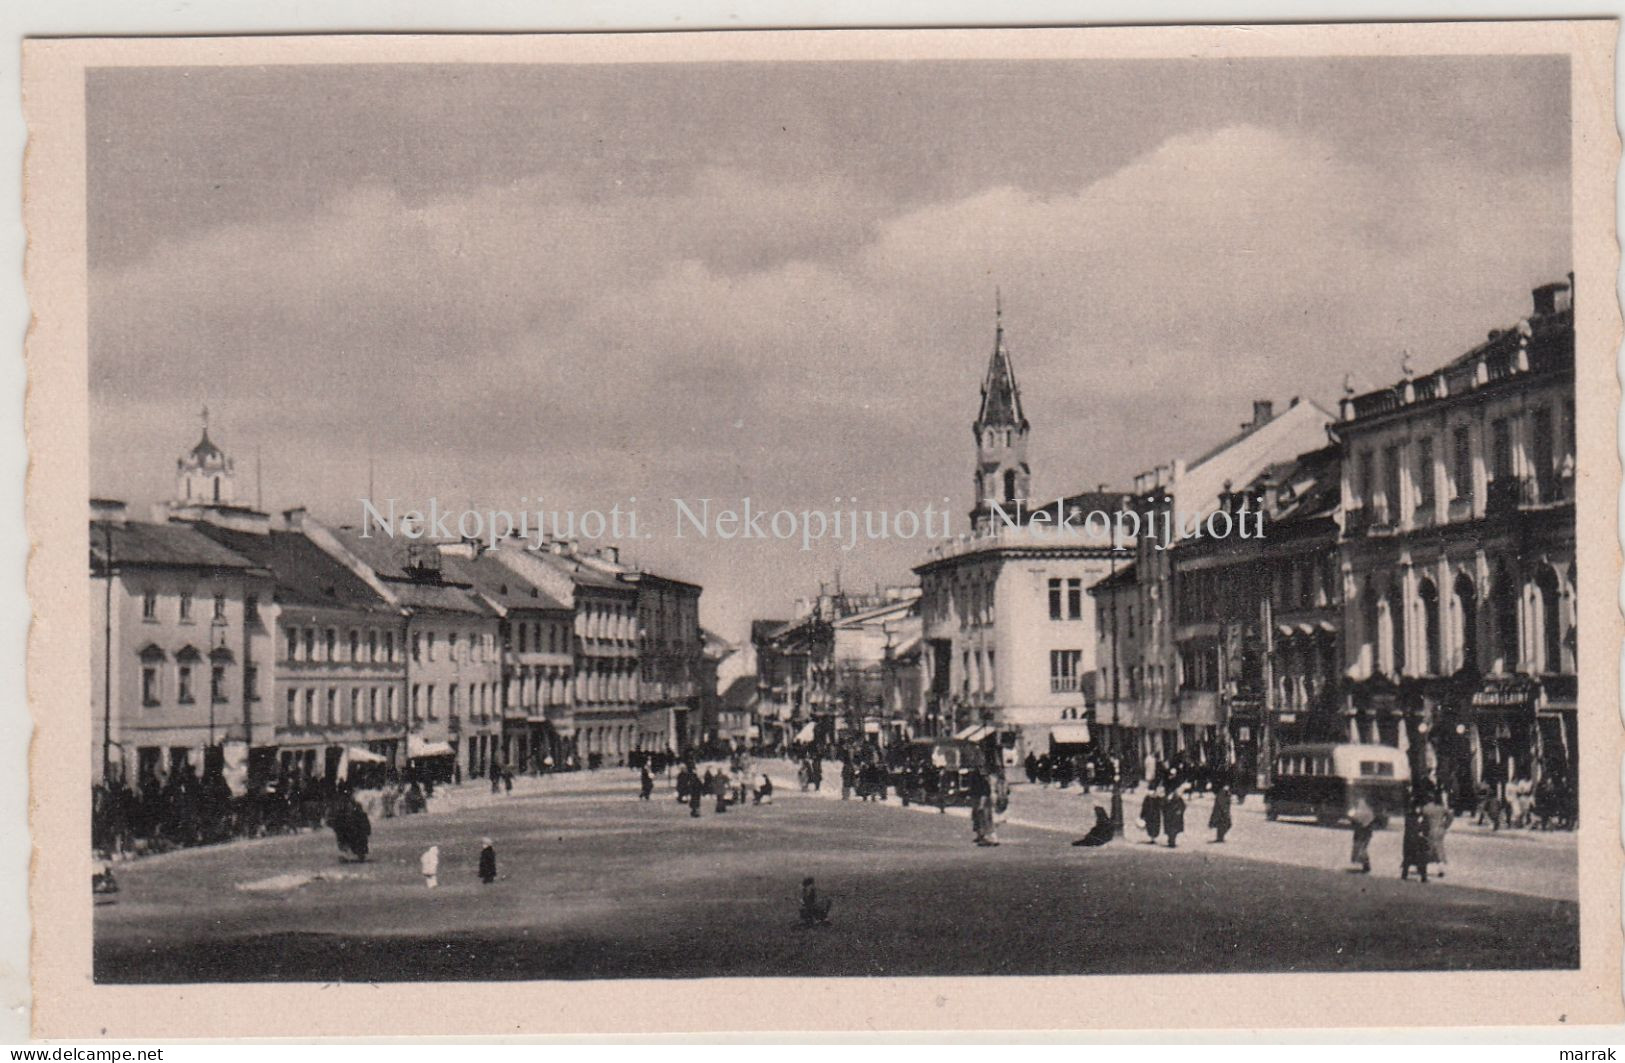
{"x": 600, "y": 885}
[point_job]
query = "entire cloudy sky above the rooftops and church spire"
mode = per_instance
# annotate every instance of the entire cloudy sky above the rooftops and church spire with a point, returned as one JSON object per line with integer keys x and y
{"x": 591, "y": 284}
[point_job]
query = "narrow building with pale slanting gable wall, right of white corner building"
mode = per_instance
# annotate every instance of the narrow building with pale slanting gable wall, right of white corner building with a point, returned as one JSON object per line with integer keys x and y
{"x": 1140, "y": 692}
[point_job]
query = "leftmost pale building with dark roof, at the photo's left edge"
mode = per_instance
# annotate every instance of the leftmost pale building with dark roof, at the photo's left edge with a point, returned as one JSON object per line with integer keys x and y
{"x": 181, "y": 649}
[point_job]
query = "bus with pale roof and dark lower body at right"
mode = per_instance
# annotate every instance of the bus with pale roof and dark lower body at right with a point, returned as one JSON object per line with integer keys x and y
{"x": 1325, "y": 781}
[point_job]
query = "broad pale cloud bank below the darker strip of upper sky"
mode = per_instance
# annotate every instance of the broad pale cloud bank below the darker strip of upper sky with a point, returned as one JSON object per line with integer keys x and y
{"x": 800, "y": 337}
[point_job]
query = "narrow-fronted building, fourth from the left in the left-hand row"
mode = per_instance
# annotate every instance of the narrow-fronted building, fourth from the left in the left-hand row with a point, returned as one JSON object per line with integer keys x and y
{"x": 539, "y": 664}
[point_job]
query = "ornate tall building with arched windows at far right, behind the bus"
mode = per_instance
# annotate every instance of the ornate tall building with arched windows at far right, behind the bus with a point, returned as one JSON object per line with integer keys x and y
{"x": 1458, "y": 558}
